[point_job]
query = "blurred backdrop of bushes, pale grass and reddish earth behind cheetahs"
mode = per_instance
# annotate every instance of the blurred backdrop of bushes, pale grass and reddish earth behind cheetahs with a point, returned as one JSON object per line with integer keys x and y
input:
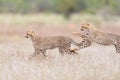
{"x": 57, "y": 17}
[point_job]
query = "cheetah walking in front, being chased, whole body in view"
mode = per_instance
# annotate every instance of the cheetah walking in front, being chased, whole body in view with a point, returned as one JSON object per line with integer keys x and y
{"x": 41, "y": 44}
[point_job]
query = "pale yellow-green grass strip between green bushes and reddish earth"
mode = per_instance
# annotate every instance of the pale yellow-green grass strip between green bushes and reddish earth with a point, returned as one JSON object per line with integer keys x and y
{"x": 54, "y": 19}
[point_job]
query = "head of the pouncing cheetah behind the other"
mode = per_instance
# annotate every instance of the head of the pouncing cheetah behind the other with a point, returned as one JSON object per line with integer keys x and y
{"x": 88, "y": 30}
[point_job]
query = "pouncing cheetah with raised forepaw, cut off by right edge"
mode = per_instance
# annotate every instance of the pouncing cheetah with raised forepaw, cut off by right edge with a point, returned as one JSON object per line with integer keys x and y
{"x": 92, "y": 34}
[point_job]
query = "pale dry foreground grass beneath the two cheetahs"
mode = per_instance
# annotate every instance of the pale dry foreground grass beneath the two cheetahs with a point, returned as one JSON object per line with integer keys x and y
{"x": 93, "y": 63}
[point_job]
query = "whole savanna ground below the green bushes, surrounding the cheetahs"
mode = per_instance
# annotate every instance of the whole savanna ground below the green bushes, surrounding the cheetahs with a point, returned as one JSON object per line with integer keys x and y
{"x": 93, "y": 63}
